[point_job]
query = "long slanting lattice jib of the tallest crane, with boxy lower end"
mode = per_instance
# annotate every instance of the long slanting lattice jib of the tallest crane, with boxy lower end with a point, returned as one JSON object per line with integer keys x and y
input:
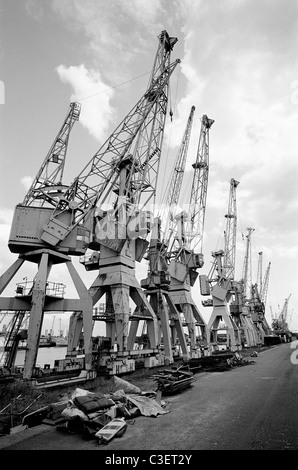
{"x": 84, "y": 196}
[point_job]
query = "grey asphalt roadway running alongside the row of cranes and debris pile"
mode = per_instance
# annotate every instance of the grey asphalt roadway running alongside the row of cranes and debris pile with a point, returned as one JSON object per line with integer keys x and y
{"x": 253, "y": 407}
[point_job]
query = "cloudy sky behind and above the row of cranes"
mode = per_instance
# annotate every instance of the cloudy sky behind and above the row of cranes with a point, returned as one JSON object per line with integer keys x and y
{"x": 238, "y": 66}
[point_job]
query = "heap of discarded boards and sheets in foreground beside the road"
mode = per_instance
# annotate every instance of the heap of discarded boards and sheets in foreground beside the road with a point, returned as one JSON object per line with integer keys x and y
{"x": 105, "y": 416}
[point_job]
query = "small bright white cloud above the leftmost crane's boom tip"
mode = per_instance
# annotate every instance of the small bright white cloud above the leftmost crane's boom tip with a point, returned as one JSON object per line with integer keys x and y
{"x": 96, "y": 112}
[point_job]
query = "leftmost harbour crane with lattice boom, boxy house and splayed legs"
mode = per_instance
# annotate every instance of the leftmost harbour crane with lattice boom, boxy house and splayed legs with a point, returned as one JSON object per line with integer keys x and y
{"x": 25, "y": 239}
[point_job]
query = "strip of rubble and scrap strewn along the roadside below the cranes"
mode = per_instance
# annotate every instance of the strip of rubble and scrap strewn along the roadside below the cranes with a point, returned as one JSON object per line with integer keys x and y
{"x": 83, "y": 411}
